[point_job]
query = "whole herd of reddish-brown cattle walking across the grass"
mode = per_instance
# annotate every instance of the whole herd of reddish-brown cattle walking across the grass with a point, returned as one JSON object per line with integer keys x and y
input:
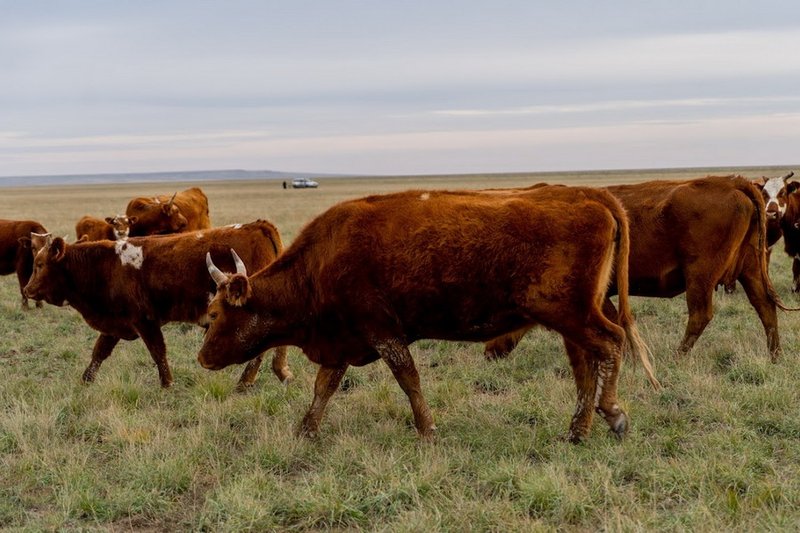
{"x": 370, "y": 276}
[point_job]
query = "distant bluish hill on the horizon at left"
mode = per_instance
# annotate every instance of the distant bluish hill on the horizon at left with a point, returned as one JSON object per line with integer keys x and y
{"x": 154, "y": 177}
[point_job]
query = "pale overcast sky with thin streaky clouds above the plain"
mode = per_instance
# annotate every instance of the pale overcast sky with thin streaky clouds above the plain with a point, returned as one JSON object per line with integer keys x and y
{"x": 396, "y": 87}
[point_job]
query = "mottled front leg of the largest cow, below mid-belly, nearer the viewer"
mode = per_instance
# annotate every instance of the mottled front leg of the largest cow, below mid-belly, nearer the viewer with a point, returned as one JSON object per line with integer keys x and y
{"x": 400, "y": 362}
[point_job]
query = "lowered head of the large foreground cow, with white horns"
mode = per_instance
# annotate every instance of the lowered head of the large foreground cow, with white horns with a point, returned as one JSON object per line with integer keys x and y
{"x": 232, "y": 333}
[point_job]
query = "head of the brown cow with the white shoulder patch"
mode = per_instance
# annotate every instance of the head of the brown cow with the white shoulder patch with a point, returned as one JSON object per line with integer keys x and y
{"x": 47, "y": 281}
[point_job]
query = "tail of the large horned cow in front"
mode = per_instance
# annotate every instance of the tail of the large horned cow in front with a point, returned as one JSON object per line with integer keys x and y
{"x": 635, "y": 347}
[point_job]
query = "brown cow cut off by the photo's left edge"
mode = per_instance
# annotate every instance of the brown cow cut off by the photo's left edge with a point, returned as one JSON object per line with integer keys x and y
{"x": 15, "y": 252}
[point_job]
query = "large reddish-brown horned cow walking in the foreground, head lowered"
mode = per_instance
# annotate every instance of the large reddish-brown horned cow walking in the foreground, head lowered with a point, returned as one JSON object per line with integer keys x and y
{"x": 370, "y": 276}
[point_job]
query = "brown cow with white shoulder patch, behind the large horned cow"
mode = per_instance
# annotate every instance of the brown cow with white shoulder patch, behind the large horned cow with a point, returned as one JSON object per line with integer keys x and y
{"x": 129, "y": 288}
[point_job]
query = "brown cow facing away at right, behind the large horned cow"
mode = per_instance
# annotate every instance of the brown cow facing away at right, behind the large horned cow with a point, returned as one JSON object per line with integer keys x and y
{"x": 690, "y": 236}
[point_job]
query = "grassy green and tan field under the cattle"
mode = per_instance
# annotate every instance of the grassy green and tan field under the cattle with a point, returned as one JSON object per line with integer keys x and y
{"x": 717, "y": 449}
